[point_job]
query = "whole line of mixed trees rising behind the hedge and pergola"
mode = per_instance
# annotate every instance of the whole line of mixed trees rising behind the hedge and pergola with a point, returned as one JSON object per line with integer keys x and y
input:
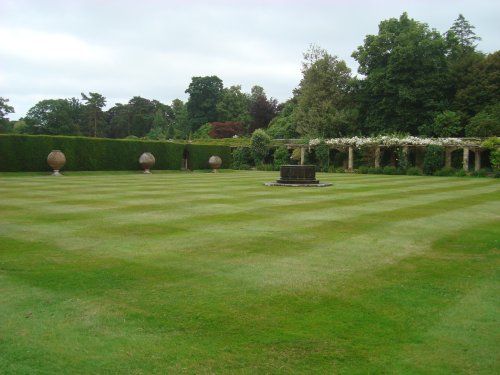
{"x": 412, "y": 80}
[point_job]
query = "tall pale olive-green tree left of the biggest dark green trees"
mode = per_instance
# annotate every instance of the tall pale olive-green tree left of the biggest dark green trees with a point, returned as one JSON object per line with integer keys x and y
{"x": 324, "y": 96}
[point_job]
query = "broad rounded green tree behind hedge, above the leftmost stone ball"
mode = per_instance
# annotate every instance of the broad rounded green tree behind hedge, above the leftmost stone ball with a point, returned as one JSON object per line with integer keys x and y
{"x": 53, "y": 117}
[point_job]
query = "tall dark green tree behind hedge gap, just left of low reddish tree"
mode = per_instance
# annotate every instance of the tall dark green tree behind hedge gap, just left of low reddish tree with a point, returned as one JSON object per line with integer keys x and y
{"x": 204, "y": 95}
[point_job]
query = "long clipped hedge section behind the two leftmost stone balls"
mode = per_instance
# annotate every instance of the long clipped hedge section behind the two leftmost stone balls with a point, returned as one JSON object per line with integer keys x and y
{"x": 29, "y": 153}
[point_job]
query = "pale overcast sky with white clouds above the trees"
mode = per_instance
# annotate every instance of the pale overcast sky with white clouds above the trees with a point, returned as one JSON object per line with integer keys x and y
{"x": 123, "y": 48}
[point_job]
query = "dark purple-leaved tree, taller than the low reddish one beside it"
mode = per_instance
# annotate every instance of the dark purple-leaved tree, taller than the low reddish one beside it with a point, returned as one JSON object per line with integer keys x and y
{"x": 262, "y": 109}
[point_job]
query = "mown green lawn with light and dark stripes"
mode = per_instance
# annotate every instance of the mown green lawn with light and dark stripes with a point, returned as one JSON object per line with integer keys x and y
{"x": 201, "y": 273}
